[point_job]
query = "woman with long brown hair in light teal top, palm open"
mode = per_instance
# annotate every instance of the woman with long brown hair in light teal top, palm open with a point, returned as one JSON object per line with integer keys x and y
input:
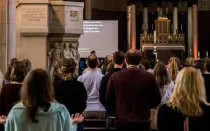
{"x": 38, "y": 110}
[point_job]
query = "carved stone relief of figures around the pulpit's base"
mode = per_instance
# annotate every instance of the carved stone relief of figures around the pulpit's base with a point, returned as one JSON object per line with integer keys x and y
{"x": 60, "y": 50}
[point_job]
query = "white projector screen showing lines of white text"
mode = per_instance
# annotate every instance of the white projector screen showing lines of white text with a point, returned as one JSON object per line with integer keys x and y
{"x": 100, "y": 36}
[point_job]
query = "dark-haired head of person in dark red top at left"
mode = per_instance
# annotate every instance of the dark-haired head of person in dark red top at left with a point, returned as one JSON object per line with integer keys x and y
{"x": 18, "y": 72}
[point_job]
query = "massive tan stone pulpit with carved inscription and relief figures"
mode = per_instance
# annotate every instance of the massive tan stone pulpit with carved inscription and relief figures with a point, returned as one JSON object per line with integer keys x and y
{"x": 45, "y": 28}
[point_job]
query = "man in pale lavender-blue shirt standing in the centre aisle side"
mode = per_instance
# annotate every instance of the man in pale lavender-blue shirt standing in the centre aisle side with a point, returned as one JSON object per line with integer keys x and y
{"x": 92, "y": 80}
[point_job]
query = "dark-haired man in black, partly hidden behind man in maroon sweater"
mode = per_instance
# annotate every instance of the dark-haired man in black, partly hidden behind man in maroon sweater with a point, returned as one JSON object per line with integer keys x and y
{"x": 118, "y": 59}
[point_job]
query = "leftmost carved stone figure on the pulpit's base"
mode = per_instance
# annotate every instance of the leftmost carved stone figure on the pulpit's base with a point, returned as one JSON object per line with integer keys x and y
{"x": 55, "y": 55}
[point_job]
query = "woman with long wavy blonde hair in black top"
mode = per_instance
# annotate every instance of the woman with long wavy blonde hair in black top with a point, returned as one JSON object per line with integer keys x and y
{"x": 188, "y": 100}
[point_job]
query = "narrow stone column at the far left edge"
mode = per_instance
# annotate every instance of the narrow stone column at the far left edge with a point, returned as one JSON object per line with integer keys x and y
{"x": 3, "y": 35}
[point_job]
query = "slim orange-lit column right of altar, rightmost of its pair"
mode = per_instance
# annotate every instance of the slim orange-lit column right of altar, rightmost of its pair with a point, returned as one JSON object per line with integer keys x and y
{"x": 195, "y": 30}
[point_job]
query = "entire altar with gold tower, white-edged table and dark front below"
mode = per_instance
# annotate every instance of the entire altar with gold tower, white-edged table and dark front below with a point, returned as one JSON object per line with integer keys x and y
{"x": 162, "y": 41}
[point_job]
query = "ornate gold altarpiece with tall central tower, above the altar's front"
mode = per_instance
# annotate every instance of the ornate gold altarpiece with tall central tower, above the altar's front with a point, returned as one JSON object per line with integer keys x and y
{"x": 161, "y": 38}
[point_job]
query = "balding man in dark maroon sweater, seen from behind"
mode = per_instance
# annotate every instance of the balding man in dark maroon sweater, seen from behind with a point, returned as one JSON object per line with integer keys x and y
{"x": 135, "y": 92}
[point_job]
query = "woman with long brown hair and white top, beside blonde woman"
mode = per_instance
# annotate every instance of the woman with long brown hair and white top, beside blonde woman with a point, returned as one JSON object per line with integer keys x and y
{"x": 163, "y": 80}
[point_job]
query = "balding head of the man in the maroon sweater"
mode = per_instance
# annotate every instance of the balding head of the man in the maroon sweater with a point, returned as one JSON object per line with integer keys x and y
{"x": 133, "y": 57}
